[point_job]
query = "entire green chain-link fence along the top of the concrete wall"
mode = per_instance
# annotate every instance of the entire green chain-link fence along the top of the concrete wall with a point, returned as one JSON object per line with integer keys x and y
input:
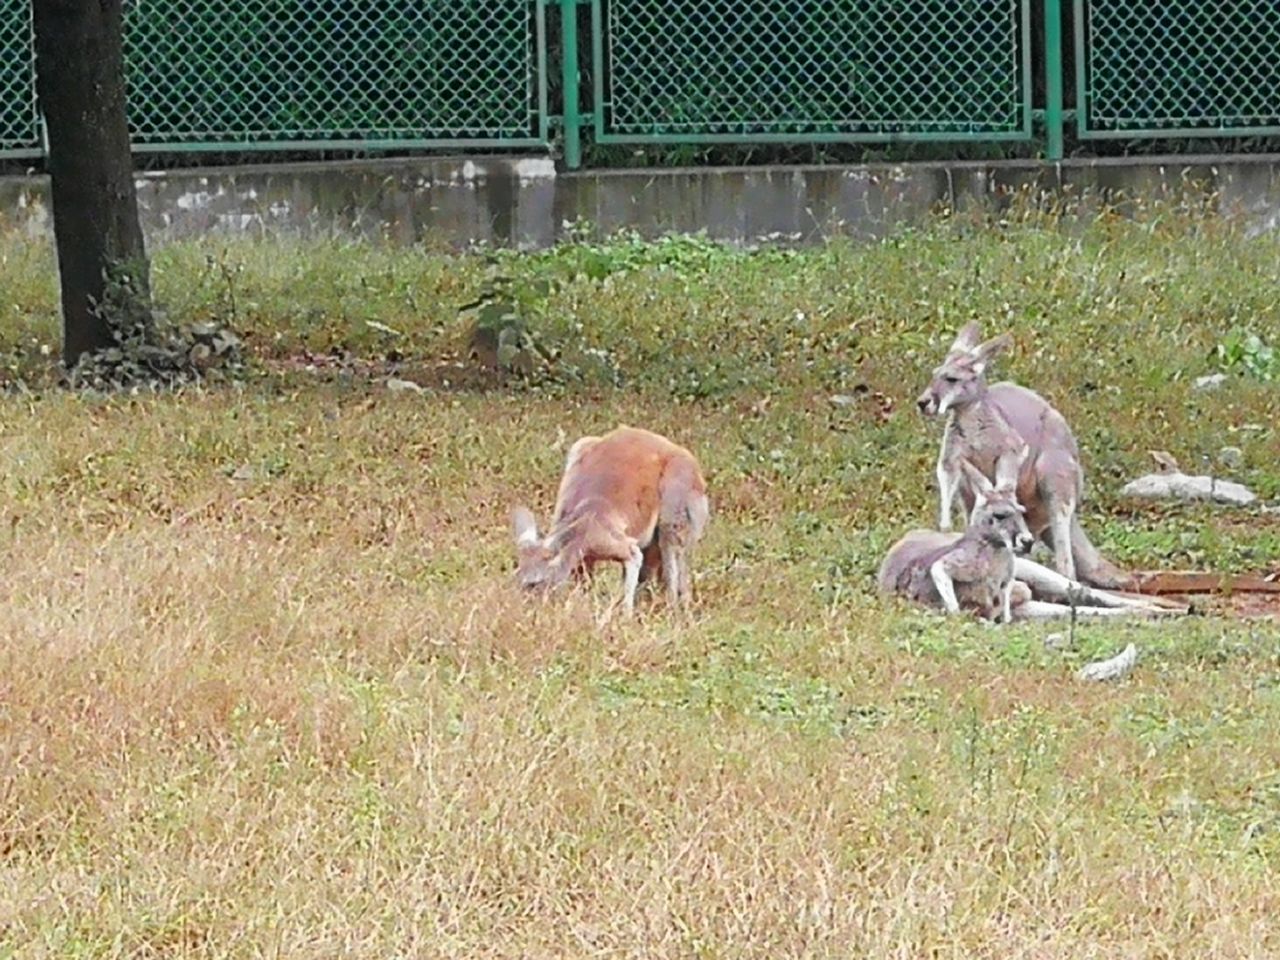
{"x": 222, "y": 76}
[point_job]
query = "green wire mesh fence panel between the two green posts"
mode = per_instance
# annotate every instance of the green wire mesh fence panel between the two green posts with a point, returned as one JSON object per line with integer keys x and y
{"x": 817, "y": 70}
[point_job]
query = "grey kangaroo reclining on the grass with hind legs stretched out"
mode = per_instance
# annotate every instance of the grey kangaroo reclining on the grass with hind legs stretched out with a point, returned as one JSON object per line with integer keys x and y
{"x": 980, "y": 572}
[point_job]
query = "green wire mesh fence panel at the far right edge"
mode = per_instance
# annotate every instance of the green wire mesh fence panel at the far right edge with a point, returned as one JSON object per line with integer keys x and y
{"x": 1178, "y": 67}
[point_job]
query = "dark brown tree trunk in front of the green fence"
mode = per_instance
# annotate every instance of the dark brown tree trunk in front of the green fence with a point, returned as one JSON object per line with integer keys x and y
{"x": 102, "y": 259}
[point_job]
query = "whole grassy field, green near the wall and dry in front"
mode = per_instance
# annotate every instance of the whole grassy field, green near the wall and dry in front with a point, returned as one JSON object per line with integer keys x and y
{"x": 267, "y": 691}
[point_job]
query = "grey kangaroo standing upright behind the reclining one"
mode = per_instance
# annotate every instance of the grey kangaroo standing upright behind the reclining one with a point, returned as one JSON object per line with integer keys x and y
{"x": 989, "y": 426}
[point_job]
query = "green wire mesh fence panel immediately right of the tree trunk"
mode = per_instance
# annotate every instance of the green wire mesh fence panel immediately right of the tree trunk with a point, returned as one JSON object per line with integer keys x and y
{"x": 234, "y": 74}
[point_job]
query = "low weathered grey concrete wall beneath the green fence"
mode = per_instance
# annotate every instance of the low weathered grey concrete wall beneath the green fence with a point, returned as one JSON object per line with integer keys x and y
{"x": 525, "y": 203}
